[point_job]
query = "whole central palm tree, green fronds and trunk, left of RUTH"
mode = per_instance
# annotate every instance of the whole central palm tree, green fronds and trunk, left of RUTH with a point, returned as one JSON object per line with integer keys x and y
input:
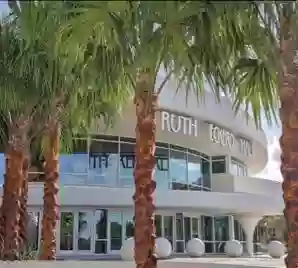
{"x": 193, "y": 41}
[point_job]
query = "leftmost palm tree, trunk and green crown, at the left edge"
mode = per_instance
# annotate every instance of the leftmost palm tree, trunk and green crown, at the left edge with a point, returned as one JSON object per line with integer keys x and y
{"x": 17, "y": 108}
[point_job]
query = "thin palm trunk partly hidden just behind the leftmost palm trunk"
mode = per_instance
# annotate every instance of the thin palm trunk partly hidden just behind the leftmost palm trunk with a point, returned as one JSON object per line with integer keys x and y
{"x": 23, "y": 206}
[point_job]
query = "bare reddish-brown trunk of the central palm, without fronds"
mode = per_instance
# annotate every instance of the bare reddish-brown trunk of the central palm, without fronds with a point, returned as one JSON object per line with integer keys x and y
{"x": 145, "y": 101}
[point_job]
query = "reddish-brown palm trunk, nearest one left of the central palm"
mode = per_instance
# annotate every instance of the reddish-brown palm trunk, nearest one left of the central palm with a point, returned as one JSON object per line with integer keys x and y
{"x": 50, "y": 210}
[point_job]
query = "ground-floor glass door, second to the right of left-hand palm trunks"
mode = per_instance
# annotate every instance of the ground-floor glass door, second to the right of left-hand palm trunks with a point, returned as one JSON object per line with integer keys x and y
{"x": 83, "y": 223}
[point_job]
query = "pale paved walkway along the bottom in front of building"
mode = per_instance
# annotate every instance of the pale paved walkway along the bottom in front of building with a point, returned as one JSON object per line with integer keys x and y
{"x": 261, "y": 262}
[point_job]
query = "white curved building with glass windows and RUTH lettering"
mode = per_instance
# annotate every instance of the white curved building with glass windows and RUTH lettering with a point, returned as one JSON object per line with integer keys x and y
{"x": 206, "y": 158}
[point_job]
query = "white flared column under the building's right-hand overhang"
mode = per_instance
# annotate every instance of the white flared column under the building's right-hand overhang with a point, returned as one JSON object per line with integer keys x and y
{"x": 249, "y": 224}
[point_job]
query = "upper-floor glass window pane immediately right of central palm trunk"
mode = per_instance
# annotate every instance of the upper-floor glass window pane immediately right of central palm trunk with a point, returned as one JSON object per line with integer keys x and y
{"x": 161, "y": 174}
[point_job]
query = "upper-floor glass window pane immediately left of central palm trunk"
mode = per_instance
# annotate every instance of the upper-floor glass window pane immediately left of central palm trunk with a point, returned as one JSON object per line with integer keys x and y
{"x": 127, "y": 163}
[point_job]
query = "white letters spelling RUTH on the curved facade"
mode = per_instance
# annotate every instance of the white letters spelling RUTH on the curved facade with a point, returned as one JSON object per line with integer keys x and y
{"x": 179, "y": 124}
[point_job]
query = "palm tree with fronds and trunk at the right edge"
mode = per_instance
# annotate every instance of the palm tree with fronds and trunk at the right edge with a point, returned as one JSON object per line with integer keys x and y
{"x": 271, "y": 69}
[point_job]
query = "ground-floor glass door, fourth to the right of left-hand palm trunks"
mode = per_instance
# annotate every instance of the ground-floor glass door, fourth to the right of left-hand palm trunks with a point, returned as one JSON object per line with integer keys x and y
{"x": 115, "y": 231}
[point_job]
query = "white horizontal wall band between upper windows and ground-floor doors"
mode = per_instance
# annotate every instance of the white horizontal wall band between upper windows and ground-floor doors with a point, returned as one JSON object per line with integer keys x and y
{"x": 212, "y": 202}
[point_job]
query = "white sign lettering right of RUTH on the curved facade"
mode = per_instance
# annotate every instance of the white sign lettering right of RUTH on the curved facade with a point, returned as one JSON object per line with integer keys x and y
{"x": 224, "y": 137}
